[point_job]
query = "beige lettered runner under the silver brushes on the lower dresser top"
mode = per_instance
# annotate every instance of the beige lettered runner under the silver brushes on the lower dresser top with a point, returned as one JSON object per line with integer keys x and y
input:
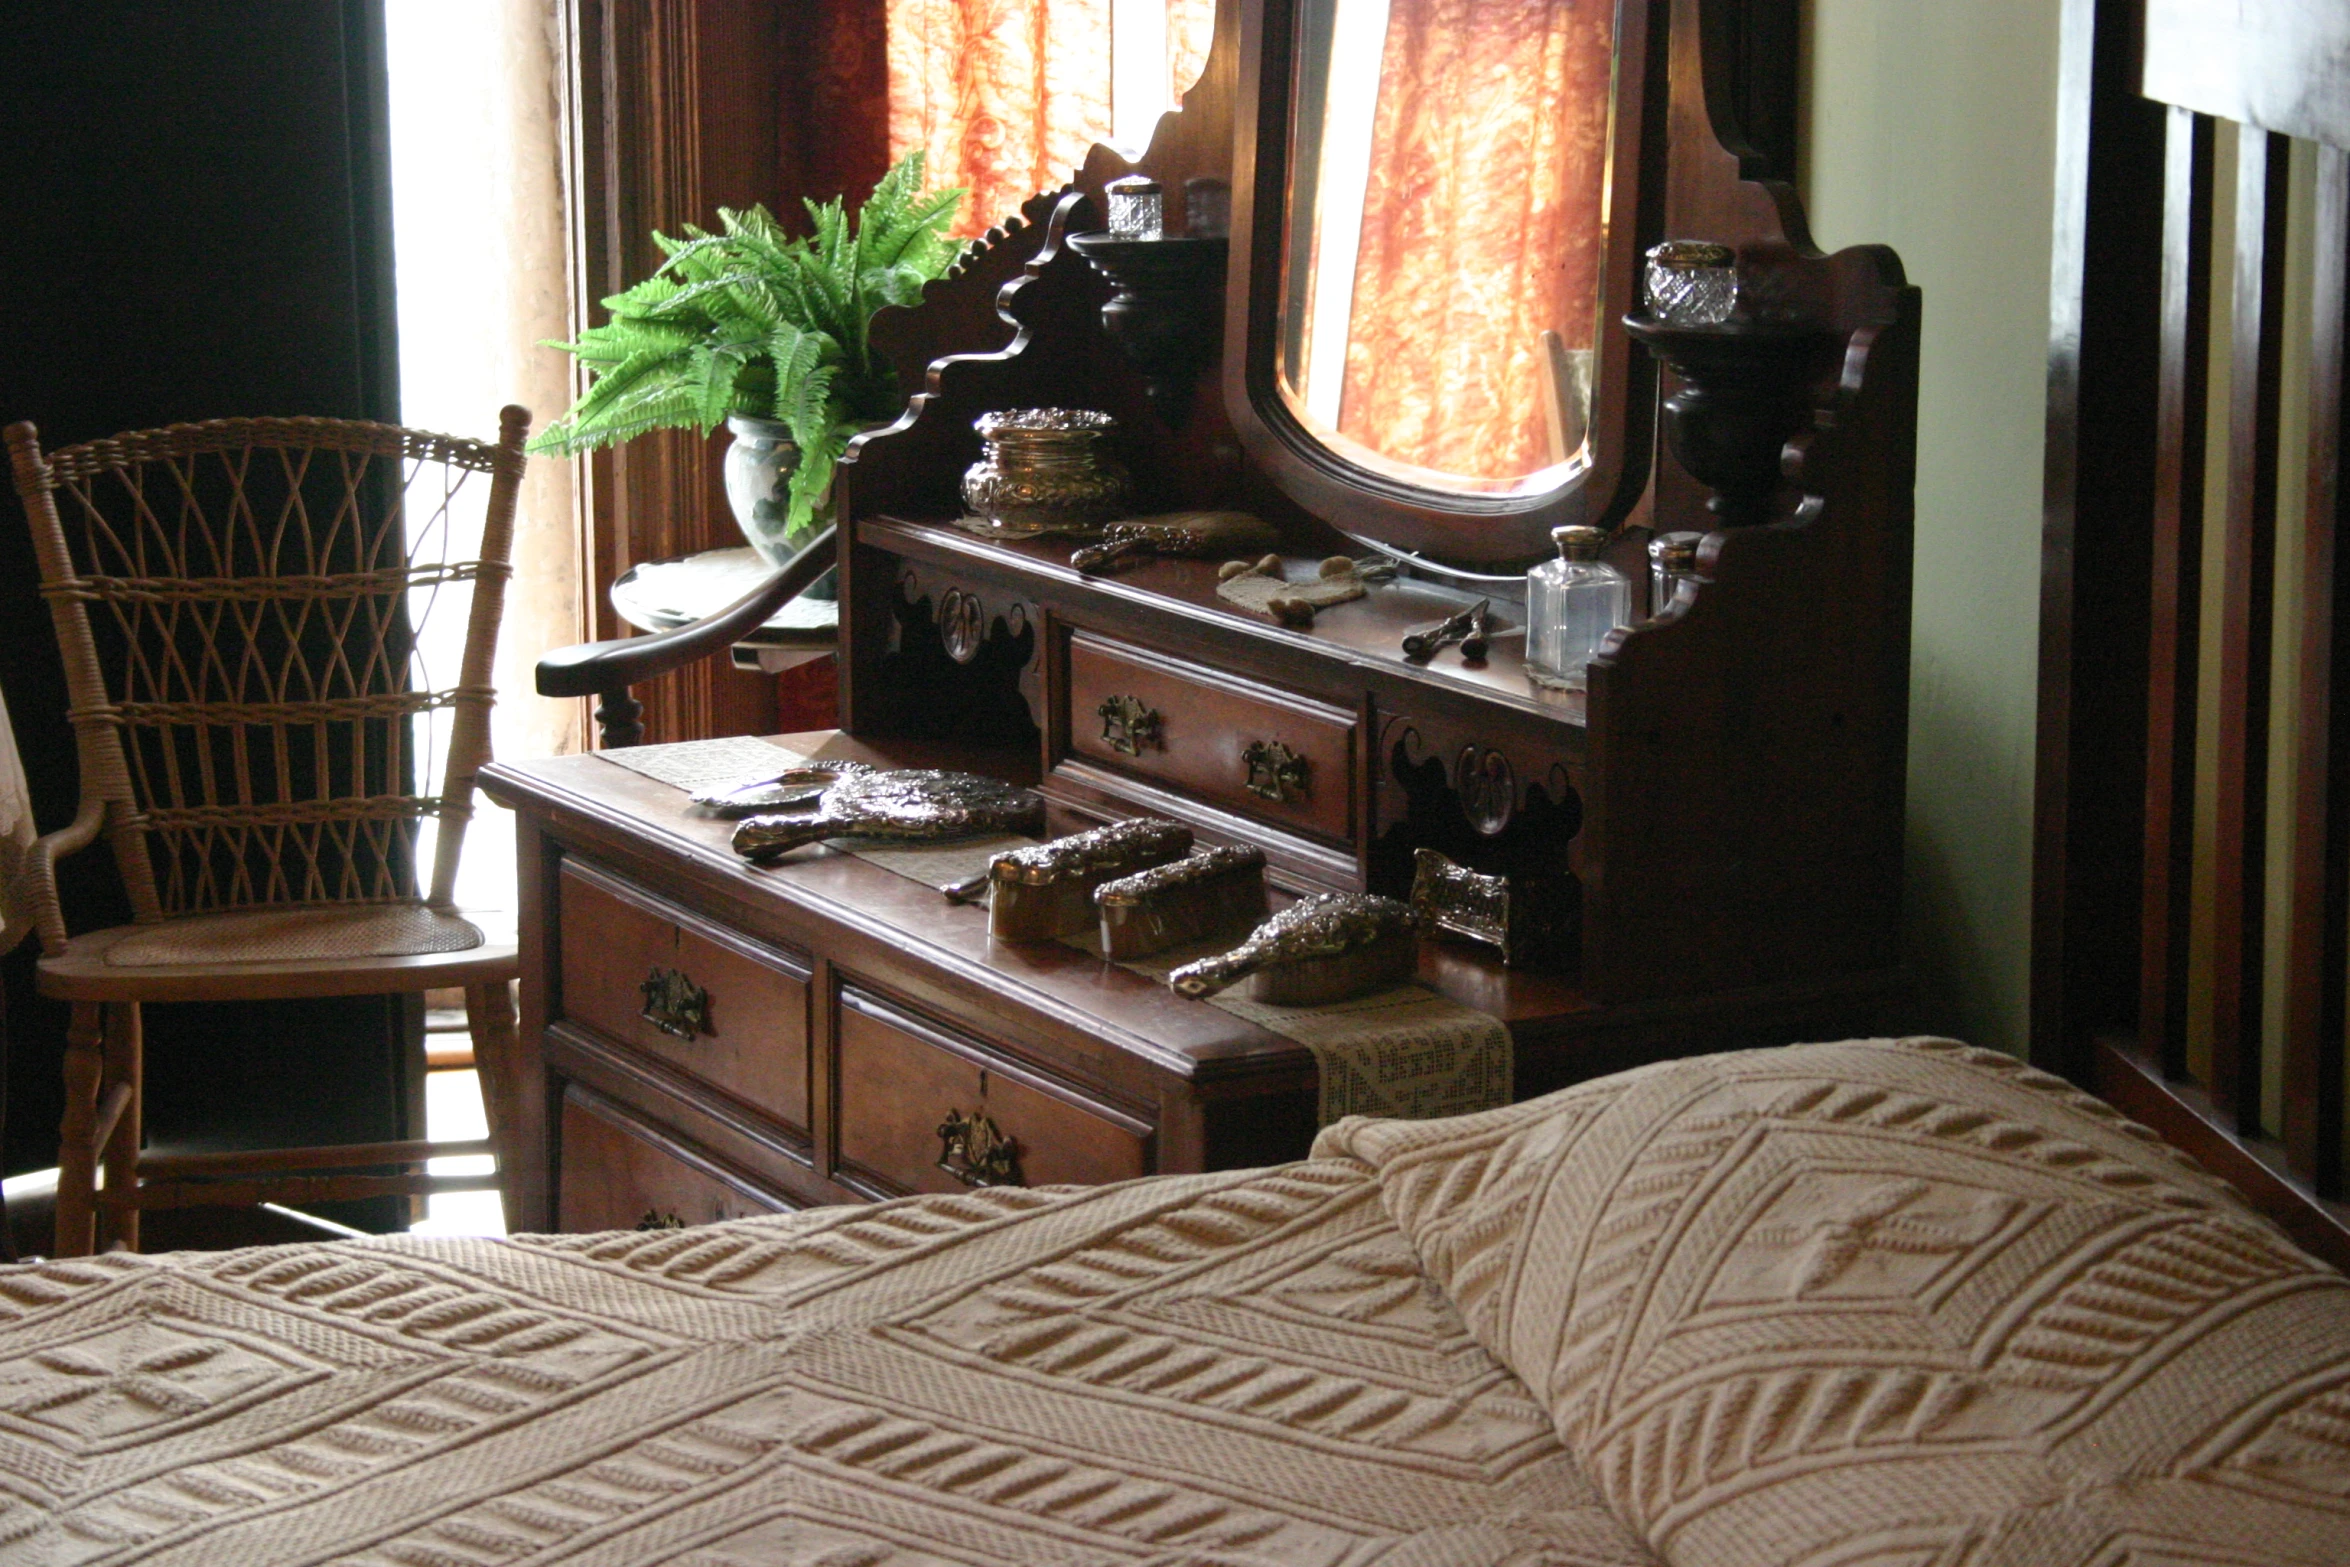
{"x": 1406, "y": 1054}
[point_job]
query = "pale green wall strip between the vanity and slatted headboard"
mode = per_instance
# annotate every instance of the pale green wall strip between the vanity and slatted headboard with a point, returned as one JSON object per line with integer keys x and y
{"x": 1931, "y": 128}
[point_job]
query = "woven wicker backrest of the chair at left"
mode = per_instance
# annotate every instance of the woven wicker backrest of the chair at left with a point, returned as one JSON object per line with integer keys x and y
{"x": 253, "y": 614}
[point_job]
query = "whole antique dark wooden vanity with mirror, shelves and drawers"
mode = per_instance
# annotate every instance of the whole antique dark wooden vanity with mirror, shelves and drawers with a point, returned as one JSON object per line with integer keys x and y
{"x": 1719, "y": 819}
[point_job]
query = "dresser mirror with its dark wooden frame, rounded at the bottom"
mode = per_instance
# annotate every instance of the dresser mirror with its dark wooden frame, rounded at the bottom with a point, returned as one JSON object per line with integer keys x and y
{"x": 1439, "y": 194}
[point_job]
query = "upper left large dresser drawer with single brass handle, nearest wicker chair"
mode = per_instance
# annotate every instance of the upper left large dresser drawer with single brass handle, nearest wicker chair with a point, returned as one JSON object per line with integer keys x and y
{"x": 737, "y": 1011}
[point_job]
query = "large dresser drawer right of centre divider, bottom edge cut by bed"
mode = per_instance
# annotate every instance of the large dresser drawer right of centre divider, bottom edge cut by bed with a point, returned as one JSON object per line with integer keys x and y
{"x": 904, "y": 1077}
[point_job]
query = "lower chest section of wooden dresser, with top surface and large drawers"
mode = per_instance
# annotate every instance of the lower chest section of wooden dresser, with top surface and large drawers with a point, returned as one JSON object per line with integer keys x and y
{"x": 852, "y": 1011}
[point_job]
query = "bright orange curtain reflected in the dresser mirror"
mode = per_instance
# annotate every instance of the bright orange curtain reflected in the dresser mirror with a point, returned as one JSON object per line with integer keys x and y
{"x": 1486, "y": 170}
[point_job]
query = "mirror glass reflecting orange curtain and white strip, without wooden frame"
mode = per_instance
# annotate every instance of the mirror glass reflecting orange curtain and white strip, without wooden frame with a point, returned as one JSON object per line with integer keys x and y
{"x": 1444, "y": 224}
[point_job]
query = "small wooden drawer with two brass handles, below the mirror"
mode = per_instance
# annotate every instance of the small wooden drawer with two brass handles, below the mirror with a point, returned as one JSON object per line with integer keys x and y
{"x": 1251, "y": 748}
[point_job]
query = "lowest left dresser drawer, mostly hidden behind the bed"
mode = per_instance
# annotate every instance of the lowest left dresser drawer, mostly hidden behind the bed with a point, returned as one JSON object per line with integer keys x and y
{"x": 626, "y": 1173}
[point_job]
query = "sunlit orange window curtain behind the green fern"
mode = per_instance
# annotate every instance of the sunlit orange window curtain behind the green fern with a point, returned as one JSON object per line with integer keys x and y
{"x": 1007, "y": 97}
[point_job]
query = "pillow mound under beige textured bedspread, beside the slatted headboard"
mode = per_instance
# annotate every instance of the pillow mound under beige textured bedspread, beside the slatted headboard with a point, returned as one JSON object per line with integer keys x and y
{"x": 1891, "y": 1303}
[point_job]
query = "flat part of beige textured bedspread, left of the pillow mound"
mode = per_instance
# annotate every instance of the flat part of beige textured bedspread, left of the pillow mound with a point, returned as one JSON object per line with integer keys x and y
{"x": 1233, "y": 1371}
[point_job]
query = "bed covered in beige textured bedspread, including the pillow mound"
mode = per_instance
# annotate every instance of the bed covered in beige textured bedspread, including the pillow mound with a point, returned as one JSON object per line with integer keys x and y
{"x": 1869, "y": 1303}
